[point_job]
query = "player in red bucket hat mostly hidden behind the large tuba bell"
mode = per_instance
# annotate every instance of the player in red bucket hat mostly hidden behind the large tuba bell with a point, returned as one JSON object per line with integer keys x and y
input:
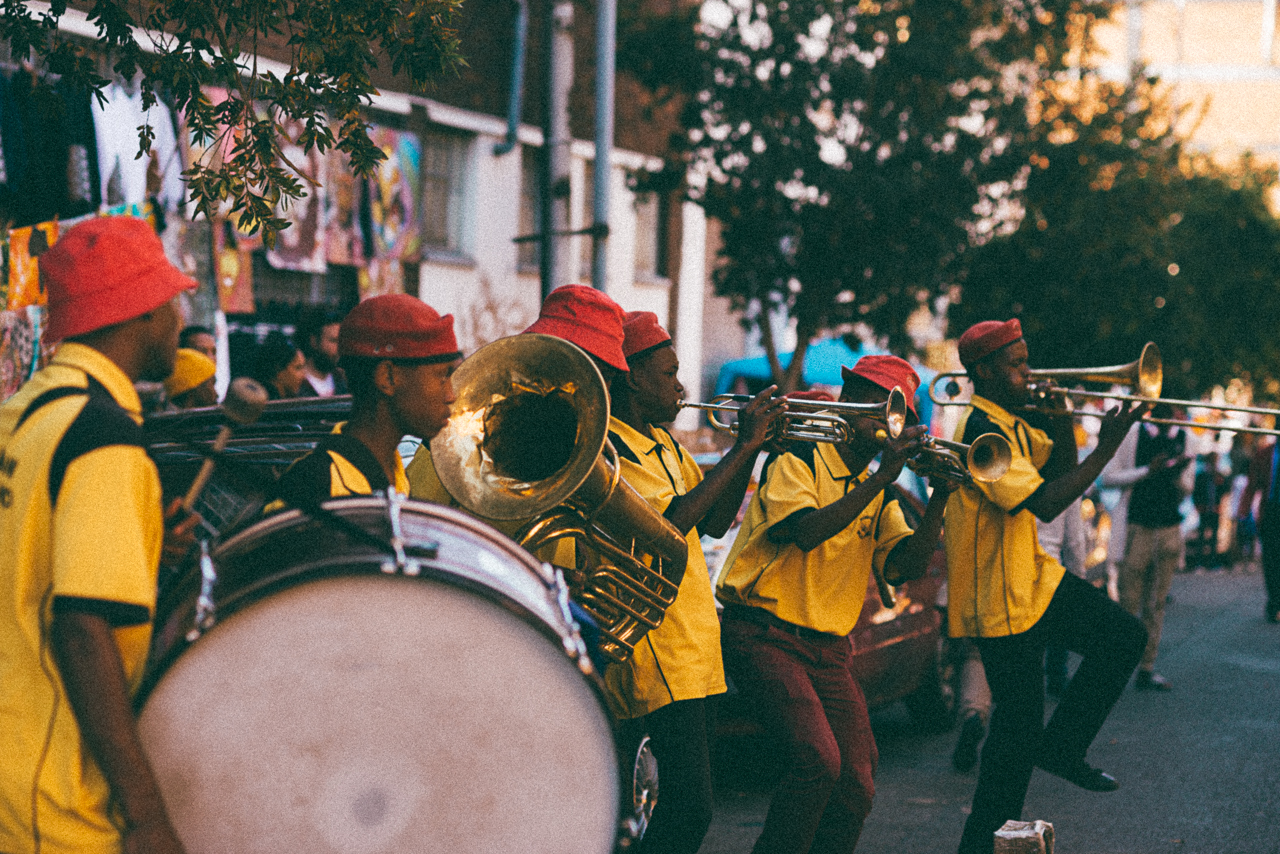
{"x": 583, "y": 317}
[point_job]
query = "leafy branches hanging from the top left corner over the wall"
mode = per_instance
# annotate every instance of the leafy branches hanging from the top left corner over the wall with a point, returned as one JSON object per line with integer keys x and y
{"x": 189, "y": 45}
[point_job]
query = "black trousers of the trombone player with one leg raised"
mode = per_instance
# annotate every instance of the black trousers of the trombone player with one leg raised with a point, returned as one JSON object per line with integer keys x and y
{"x": 1081, "y": 619}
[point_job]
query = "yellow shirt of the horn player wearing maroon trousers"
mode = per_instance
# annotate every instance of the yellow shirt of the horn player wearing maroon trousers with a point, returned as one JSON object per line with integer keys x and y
{"x": 821, "y": 590}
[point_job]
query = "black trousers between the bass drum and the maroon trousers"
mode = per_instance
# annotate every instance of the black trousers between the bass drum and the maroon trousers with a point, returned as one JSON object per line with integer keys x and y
{"x": 680, "y": 737}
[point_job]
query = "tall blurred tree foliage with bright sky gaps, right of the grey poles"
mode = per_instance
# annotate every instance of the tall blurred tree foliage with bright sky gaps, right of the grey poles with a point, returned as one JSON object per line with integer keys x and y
{"x": 848, "y": 147}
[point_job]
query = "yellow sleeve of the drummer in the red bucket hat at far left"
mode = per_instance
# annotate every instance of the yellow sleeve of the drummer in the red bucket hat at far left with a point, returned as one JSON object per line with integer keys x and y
{"x": 108, "y": 528}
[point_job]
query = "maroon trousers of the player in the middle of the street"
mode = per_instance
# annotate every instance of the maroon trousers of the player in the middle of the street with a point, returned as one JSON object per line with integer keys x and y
{"x": 802, "y": 684}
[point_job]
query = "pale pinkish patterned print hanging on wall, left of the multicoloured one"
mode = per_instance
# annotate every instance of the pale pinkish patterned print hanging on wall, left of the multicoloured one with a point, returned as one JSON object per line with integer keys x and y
{"x": 301, "y": 246}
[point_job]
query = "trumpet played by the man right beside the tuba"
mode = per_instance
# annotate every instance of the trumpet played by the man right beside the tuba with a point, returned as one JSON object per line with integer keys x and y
{"x": 815, "y": 421}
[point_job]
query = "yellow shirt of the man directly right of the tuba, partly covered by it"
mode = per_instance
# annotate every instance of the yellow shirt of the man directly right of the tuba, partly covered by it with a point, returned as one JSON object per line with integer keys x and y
{"x": 682, "y": 659}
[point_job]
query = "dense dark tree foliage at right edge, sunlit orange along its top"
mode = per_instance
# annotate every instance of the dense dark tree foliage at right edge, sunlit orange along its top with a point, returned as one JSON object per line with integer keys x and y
{"x": 1127, "y": 240}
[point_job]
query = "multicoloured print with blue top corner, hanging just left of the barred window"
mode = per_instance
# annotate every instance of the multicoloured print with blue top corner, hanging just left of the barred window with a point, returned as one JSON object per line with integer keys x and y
{"x": 394, "y": 207}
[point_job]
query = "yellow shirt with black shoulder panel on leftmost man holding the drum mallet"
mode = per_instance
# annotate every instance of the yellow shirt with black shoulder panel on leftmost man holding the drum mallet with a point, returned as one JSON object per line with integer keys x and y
{"x": 80, "y": 519}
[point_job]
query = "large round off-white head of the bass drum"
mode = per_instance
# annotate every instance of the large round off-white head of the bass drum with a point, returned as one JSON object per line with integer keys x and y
{"x": 378, "y": 714}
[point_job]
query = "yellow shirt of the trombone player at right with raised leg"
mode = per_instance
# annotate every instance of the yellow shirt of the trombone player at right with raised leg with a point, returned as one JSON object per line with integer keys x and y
{"x": 999, "y": 579}
